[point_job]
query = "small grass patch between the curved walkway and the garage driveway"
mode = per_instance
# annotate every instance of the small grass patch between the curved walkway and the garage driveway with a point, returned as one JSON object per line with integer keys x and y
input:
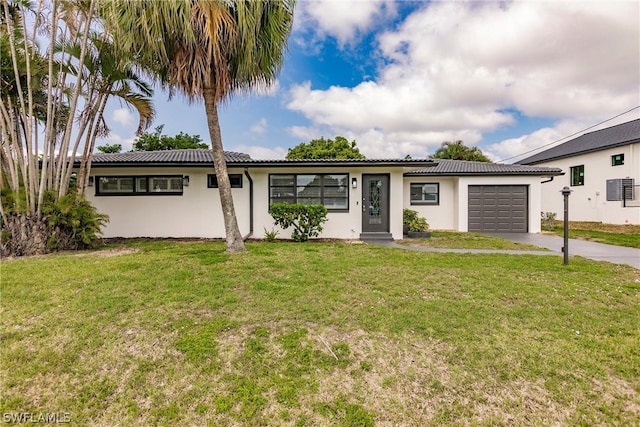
{"x": 458, "y": 240}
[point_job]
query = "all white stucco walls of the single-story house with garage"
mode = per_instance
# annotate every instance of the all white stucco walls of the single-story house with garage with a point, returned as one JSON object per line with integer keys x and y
{"x": 197, "y": 212}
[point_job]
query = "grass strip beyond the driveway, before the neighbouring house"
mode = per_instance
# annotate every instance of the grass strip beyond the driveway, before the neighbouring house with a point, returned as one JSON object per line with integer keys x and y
{"x": 620, "y": 235}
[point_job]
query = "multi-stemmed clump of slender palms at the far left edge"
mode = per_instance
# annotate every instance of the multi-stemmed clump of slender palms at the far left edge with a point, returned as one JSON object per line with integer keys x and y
{"x": 53, "y": 89}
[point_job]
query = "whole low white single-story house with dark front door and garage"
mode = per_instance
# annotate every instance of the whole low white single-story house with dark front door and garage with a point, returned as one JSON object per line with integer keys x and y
{"x": 174, "y": 194}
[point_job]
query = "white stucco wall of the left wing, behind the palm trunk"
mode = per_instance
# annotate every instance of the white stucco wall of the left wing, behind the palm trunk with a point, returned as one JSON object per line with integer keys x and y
{"x": 196, "y": 213}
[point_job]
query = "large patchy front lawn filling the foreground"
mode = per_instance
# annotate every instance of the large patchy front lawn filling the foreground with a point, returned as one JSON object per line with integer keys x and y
{"x": 171, "y": 333}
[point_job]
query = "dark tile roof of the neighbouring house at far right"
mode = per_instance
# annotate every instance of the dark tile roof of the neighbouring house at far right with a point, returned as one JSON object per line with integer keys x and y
{"x": 614, "y": 136}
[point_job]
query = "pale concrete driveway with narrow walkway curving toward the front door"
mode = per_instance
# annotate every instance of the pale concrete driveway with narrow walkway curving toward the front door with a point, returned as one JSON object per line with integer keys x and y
{"x": 590, "y": 250}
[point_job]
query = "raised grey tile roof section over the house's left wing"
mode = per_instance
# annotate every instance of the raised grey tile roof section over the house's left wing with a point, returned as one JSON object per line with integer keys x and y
{"x": 166, "y": 157}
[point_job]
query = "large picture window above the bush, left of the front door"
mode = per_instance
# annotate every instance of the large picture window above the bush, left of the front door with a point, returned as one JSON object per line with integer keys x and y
{"x": 330, "y": 190}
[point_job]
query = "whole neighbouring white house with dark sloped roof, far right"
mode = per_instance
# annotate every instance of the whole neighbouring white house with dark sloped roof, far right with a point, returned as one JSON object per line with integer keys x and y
{"x": 603, "y": 172}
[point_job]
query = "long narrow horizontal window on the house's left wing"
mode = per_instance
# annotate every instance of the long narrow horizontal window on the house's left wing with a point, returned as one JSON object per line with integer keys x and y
{"x": 139, "y": 185}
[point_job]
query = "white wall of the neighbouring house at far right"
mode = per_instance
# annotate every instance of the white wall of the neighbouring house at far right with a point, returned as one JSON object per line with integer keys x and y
{"x": 588, "y": 202}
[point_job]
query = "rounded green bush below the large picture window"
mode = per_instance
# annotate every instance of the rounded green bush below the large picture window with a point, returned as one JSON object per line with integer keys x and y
{"x": 306, "y": 220}
